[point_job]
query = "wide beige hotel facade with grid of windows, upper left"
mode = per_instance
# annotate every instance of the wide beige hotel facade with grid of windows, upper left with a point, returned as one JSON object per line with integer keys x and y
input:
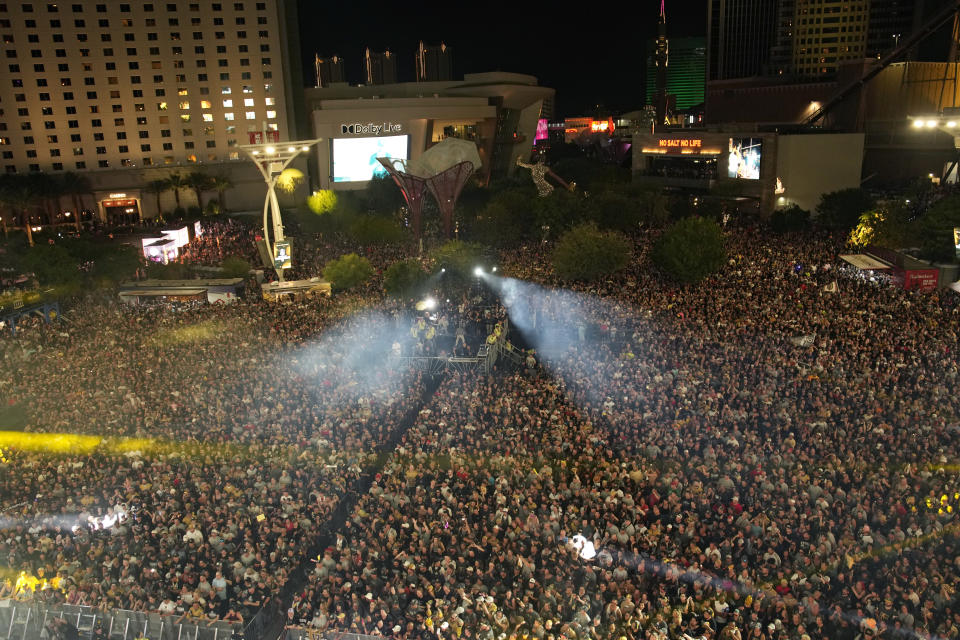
{"x": 106, "y": 85}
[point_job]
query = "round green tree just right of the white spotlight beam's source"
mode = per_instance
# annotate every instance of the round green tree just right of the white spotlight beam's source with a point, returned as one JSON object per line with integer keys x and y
{"x": 587, "y": 253}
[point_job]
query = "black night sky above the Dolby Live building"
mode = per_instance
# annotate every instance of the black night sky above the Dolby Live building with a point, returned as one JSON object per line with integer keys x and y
{"x": 592, "y": 54}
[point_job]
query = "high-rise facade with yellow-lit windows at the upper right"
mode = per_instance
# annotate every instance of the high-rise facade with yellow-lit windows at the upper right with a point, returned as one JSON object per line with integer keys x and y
{"x": 827, "y": 32}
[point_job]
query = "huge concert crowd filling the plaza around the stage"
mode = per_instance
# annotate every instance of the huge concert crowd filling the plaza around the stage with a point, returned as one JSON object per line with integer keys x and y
{"x": 770, "y": 454}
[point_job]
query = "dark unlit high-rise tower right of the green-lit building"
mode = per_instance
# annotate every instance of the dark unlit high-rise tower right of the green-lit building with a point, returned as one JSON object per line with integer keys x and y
{"x": 740, "y": 34}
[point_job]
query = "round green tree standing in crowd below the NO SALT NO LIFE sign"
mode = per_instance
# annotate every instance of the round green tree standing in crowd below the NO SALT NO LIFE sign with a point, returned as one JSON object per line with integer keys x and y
{"x": 690, "y": 250}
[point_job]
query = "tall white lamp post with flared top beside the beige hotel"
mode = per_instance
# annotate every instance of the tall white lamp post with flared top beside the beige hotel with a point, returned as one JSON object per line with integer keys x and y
{"x": 271, "y": 159}
